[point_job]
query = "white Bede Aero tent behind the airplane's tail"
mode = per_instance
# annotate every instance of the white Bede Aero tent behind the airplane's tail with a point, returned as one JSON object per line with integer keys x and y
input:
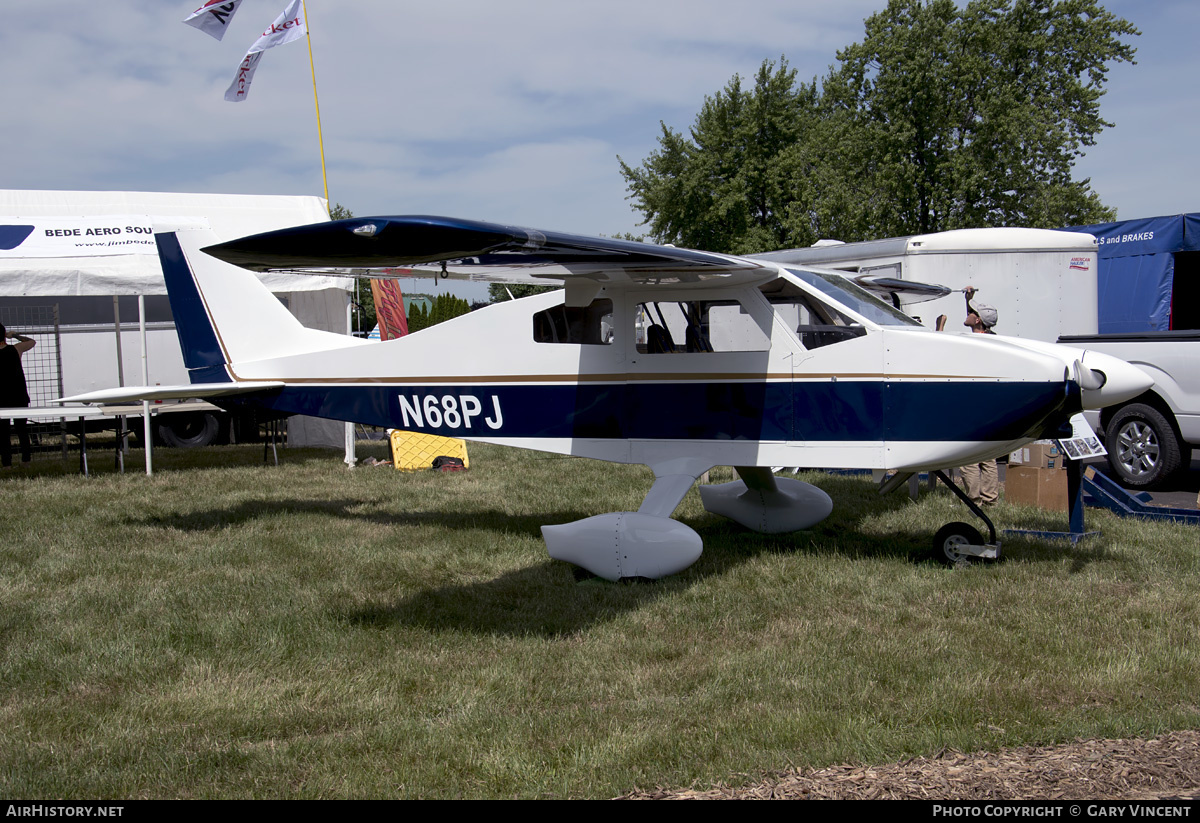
{"x": 101, "y": 244}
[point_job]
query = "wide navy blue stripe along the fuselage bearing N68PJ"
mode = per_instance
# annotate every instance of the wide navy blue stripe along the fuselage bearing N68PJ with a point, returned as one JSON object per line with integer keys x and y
{"x": 845, "y": 411}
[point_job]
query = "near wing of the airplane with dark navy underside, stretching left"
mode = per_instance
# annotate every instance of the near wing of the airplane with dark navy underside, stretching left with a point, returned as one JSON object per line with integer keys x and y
{"x": 478, "y": 251}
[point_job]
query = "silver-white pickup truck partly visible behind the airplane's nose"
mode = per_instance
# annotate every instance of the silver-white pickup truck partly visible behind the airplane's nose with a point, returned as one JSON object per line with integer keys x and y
{"x": 1150, "y": 438}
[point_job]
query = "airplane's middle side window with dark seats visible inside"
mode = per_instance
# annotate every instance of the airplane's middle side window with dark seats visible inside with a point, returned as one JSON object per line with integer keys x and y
{"x": 671, "y": 327}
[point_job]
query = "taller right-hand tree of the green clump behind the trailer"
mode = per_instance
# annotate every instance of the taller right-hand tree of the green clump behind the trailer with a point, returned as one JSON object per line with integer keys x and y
{"x": 976, "y": 116}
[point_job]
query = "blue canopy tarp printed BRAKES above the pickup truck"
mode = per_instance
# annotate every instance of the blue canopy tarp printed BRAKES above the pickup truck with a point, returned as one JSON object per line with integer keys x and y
{"x": 1137, "y": 269}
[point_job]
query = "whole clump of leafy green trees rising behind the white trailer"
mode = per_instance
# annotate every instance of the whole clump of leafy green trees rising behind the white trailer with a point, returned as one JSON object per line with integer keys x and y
{"x": 943, "y": 117}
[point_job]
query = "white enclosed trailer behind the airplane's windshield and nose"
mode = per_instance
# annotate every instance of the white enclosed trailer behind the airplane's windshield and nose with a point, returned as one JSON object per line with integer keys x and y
{"x": 1042, "y": 283}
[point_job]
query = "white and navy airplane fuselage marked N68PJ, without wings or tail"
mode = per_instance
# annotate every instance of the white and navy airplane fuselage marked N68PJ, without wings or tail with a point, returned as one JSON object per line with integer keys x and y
{"x": 854, "y": 401}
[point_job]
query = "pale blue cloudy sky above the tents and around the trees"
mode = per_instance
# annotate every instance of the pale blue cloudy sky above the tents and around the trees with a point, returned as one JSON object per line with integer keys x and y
{"x": 511, "y": 112}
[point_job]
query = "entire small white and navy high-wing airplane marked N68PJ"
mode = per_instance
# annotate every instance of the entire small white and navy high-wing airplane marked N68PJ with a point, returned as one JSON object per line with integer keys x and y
{"x": 676, "y": 359}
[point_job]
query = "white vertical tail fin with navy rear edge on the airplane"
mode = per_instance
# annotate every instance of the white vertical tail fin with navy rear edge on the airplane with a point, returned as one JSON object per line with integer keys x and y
{"x": 225, "y": 316}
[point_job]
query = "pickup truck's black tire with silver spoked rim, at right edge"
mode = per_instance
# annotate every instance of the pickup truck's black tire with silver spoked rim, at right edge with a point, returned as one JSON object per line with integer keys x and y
{"x": 1143, "y": 448}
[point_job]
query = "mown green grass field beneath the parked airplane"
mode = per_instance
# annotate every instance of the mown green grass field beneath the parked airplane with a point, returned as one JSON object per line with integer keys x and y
{"x": 226, "y": 629}
